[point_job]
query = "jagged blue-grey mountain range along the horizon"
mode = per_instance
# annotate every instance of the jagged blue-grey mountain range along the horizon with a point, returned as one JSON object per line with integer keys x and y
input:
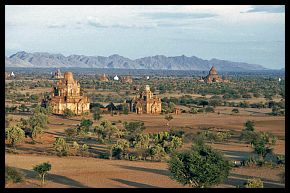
{"x": 158, "y": 62}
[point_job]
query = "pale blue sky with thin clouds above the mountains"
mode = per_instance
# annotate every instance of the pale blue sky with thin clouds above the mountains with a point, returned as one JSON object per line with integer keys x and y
{"x": 240, "y": 33}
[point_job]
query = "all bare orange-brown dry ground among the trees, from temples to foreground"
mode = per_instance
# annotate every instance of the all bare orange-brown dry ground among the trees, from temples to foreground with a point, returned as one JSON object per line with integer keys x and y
{"x": 94, "y": 172}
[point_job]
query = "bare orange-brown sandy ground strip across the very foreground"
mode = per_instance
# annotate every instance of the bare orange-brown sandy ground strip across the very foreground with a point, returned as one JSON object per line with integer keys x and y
{"x": 78, "y": 172}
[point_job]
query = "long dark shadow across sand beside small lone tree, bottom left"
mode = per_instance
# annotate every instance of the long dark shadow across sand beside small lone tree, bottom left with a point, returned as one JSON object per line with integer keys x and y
{"x": 53, "y": 178}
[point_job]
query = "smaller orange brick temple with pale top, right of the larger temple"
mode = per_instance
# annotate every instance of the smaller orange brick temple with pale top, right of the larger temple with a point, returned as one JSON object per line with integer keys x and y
{"x": 146, "y": 102}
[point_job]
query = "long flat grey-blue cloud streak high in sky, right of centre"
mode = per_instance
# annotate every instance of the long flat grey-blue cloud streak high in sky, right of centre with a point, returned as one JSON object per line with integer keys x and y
{"x": 178, "y": 15}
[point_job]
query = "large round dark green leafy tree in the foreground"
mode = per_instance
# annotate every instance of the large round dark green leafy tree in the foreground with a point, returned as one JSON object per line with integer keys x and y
{"x": 199, "y": 167}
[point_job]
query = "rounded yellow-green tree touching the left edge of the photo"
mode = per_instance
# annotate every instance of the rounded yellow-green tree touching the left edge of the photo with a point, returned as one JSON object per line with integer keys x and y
{"x": 14, "y": 135}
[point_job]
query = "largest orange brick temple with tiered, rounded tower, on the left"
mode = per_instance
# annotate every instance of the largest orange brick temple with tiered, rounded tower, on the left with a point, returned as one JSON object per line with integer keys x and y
{"x": 66, "y": 95}
